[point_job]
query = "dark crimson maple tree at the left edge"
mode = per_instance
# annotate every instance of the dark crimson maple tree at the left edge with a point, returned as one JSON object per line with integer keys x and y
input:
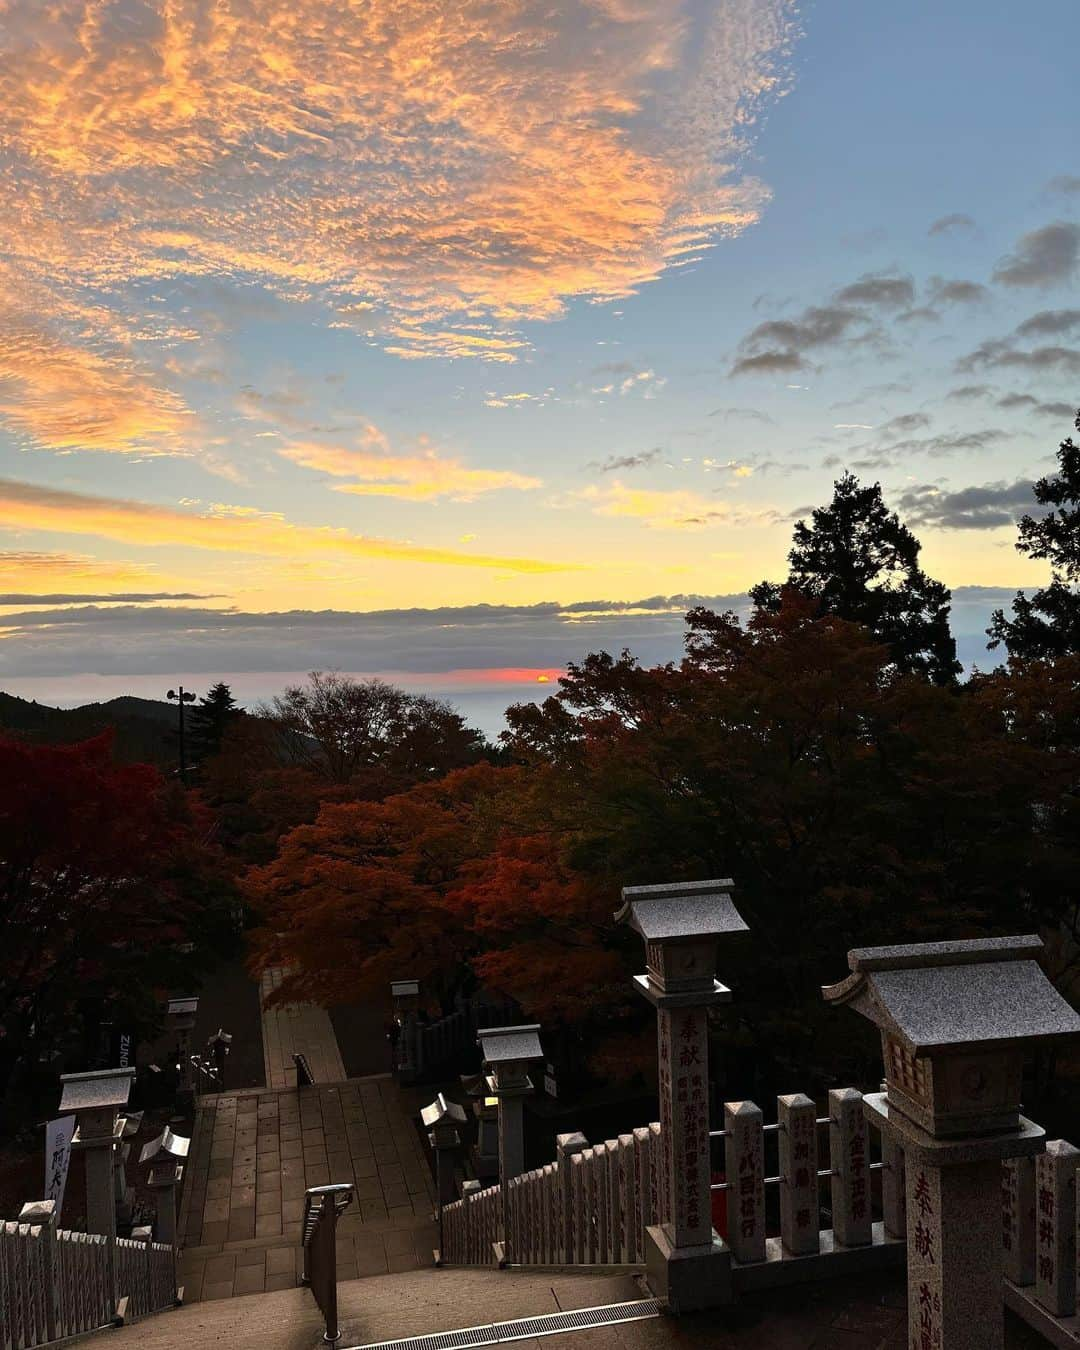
{"x": 103, "y": 884}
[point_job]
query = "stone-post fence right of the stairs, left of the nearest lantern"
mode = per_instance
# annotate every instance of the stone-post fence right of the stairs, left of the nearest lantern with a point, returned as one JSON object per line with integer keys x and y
{"x": 593, "y": 1205}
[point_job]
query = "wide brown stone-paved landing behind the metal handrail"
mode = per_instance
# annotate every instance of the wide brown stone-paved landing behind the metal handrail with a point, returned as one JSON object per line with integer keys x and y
{"x": 254, "y": 1155}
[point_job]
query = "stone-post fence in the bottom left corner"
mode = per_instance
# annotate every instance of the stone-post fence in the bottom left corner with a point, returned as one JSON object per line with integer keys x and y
{"x": 56, "y": 1285}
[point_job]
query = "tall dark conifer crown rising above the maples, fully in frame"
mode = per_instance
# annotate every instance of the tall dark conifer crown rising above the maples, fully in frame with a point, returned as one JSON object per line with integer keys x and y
{"x": 862, "y": 564}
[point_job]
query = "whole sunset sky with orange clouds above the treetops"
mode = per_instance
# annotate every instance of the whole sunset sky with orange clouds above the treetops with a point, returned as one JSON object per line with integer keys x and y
{"x": 450, "y": 340}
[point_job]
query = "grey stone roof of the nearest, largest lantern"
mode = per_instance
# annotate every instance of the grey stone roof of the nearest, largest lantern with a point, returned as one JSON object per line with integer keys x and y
{"x": 952, "y": 996}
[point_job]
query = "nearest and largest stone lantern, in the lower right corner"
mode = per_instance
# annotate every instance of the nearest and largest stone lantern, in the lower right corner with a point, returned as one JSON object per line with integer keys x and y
{"x": 955, "y": 1020}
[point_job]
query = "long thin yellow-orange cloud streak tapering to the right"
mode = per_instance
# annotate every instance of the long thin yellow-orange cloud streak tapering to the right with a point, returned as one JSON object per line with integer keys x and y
{"x": 234, "y": 530}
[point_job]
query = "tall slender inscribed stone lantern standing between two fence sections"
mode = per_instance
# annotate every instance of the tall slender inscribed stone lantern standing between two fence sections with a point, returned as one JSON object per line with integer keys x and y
{"x": 682, "y": 925}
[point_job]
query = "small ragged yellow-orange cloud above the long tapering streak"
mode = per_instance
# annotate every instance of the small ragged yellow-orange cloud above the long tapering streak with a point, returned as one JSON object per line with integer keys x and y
{"x": 425, "y": 476}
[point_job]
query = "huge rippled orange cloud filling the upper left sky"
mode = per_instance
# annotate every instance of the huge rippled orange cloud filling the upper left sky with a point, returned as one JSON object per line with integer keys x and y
{"x": 435, "y": 173}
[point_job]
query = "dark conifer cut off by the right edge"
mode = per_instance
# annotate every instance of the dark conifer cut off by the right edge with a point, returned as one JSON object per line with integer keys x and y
{"x": 1048, "y": 624}
